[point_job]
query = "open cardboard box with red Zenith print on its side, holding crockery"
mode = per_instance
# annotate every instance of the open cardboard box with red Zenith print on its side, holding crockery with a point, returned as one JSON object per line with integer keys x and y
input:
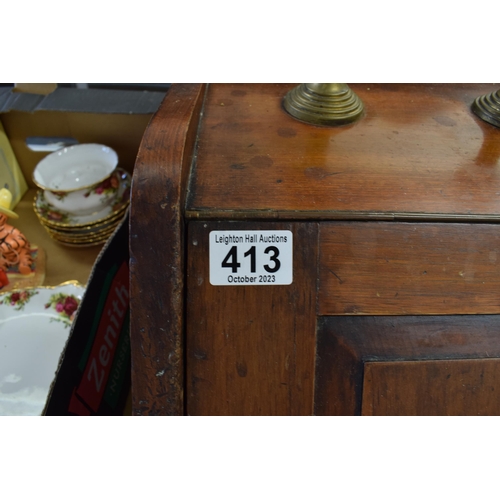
{"x": 94, "y": 372}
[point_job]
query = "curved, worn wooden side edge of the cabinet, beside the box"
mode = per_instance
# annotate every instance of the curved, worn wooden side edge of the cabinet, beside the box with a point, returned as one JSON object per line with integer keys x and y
{"x": 157, "y": 252}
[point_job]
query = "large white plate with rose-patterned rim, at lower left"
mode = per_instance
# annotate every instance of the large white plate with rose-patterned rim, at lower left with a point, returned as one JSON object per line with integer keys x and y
{"x": 34, "y": 327}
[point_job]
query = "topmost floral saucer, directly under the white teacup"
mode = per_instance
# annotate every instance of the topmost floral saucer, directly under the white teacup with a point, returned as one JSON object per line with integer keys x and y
{"x": 59, "y": 218}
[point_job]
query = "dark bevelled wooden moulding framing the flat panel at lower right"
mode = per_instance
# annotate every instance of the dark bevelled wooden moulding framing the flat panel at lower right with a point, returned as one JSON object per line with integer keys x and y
{"x": 346, "y": 344}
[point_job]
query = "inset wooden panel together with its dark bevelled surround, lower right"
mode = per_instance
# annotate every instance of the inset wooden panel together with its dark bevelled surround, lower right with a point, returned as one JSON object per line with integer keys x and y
{"x": 348, "y": 344}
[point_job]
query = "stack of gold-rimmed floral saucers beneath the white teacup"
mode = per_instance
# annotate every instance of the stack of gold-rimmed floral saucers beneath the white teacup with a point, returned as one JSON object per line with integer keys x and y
{"x": 85, "y": 230}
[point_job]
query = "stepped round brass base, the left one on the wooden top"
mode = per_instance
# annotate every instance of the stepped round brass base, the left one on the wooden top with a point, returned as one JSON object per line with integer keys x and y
{"x": 324, "y": 103}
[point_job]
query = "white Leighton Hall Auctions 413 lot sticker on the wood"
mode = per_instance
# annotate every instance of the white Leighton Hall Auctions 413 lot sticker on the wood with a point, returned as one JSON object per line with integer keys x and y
{"x": 251, "y": 257}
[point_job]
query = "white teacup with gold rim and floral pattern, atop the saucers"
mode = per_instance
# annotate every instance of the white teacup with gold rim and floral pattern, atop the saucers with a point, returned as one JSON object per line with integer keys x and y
{"x": 79, "y": 179}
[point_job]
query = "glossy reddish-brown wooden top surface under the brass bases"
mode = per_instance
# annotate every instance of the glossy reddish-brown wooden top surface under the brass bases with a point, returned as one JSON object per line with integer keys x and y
{"x": 418, "y": 152}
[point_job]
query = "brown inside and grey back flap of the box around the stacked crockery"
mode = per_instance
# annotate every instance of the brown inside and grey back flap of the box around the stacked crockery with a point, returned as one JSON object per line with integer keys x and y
{"x": 117, "y": 118}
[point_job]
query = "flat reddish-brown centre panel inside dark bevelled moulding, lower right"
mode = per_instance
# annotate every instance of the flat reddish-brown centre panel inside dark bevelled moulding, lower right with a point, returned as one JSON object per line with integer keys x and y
{"x": 456, "y": 387}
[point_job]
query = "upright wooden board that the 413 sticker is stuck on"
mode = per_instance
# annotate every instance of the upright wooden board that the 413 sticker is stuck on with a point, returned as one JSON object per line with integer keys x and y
{"x": 250, "y": 349}
